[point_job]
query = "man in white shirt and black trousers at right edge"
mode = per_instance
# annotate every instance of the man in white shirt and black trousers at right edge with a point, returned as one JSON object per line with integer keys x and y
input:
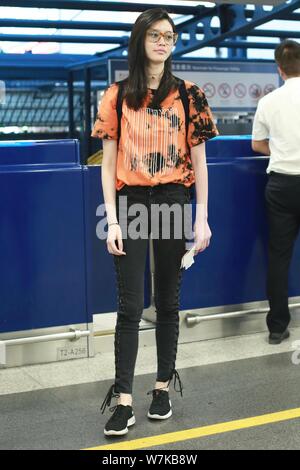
{"x": 276, "y": 132}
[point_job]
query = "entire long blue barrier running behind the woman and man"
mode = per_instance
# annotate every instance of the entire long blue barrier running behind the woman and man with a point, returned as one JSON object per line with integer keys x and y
{"x": 55, "y": 271}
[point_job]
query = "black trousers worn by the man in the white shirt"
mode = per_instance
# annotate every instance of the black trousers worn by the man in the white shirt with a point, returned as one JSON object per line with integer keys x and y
{"x": 283, "y": 205}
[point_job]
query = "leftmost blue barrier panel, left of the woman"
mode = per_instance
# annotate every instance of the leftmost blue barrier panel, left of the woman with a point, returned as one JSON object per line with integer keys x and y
{"x": 42, "y": 236}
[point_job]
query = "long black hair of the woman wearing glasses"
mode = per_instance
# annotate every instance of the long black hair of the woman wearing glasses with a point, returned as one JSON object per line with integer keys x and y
{"x": 135, "y": 90}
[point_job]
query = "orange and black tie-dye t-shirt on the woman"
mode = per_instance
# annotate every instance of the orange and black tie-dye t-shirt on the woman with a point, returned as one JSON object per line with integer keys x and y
{"x": 153, "y": 147}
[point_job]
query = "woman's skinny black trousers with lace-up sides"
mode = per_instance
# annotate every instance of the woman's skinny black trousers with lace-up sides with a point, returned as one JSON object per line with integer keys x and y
{"x": 130, "y": 269}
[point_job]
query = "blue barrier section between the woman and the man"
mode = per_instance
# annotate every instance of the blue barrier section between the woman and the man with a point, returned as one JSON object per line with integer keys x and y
{"x": 233, "y": 269}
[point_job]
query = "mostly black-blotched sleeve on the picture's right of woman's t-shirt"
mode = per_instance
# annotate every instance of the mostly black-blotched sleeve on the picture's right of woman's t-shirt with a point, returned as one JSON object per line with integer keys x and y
{"x": 201, "y": 125}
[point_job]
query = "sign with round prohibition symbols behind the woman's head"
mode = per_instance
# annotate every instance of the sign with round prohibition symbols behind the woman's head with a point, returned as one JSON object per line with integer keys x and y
{"x": 230, "y": 86}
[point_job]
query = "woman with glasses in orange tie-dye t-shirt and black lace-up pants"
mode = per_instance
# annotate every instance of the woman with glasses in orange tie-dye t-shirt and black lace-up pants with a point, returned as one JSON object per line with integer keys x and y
{"x": 150, "y": 160}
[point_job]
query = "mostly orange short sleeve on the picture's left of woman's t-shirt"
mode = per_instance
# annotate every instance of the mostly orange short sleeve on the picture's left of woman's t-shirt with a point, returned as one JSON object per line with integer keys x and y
{"x": 106, "y": 124}
